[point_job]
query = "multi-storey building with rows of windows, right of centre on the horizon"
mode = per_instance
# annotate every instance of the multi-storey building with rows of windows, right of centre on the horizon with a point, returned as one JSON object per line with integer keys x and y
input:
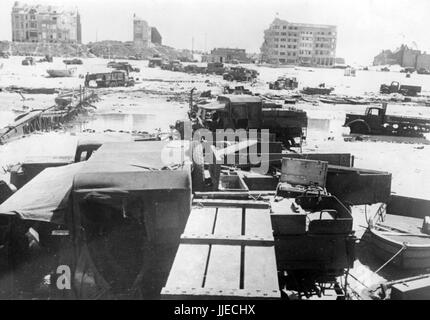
{"x": 299, "y": 44}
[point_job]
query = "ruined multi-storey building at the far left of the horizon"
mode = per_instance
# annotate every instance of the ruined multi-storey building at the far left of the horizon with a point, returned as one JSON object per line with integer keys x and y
{"x": 45, "y": 23}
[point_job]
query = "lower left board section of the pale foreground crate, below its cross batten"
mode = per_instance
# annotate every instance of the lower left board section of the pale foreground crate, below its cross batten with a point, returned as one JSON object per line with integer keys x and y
{"x": 189, "y": 266}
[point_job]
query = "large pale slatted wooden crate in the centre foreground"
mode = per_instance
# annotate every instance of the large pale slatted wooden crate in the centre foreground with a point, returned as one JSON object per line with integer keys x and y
{"x": 225, "y": 252}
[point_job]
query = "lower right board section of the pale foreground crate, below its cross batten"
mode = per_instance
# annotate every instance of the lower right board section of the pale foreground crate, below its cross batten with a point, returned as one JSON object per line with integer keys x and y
{"x": 260, "y": 269}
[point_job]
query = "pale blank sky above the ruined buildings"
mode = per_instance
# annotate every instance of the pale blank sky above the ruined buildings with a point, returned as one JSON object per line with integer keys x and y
{"x": 364, "y": 26}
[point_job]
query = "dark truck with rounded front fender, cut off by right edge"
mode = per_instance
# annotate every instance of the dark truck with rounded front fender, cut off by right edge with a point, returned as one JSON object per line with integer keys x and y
{"x": 376, "y": 122}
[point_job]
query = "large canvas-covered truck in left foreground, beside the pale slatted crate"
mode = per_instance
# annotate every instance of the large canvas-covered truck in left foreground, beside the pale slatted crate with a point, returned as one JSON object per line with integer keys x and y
{"x": 114, "y": 221}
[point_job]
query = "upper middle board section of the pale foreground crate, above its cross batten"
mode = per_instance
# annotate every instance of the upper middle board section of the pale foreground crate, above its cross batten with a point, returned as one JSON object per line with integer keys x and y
{"x": 228, "y": 221}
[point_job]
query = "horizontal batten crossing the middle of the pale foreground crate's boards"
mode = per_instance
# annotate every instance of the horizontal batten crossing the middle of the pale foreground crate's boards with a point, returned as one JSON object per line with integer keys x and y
{"x": 198, "y": 238}
